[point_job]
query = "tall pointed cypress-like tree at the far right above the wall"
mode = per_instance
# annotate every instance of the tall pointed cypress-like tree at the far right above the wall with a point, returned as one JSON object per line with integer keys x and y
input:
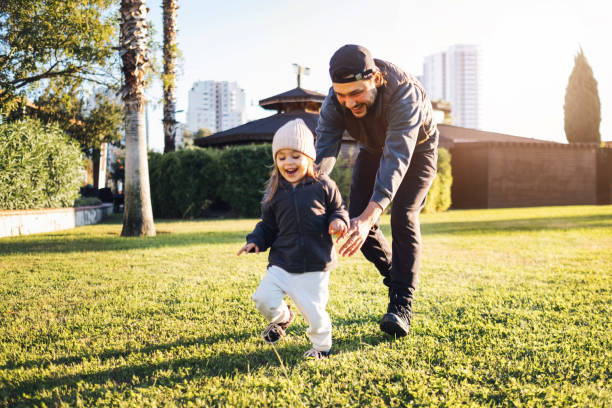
{"x": 582, "y": 107}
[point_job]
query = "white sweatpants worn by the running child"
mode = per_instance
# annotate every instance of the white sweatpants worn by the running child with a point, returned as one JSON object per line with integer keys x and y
{"x": 310, "y": 293}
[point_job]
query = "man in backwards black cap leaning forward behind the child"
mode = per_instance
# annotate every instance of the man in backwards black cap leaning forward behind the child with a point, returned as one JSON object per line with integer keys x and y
{"x": 389, "y": 114}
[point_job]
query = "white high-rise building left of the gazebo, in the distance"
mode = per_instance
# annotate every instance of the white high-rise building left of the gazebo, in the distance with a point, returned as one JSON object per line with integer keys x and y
{"x": 216, "y": 106}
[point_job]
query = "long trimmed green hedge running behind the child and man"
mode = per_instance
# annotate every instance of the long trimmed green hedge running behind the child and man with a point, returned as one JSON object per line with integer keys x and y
{"x": 184, "y": 184}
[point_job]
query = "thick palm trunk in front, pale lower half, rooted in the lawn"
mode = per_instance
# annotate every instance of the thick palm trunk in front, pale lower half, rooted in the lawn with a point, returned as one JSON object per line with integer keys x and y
{"x": 137, "y": 214}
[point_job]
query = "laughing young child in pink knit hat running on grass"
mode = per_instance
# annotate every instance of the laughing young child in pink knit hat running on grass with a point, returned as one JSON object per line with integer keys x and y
{"x": 301, "y": 209}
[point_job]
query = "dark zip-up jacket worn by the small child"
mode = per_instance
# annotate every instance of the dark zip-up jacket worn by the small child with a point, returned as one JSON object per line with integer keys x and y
{"x": 295, "y": 222}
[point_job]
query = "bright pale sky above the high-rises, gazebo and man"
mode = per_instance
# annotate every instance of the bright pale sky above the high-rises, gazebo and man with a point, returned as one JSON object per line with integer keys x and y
{"x": 527, "y": 50}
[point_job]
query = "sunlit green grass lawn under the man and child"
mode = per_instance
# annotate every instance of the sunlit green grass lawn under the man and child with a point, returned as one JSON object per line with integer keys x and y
{"x": 513, "y": 309}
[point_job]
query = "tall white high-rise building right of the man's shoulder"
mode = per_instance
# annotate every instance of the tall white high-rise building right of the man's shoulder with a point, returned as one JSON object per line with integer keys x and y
{"x": 454, "y": 76}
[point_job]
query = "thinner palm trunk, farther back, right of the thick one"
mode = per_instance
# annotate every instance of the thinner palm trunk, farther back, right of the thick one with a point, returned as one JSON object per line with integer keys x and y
{"x": 170, "y": 51}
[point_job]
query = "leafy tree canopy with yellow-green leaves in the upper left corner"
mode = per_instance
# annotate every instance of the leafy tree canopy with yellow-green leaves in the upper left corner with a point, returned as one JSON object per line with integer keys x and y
{"x": 47, "y": 40}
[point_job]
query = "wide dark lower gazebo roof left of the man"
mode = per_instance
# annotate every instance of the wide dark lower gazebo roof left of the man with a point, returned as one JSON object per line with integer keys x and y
{"x": 257, "y": 131}
